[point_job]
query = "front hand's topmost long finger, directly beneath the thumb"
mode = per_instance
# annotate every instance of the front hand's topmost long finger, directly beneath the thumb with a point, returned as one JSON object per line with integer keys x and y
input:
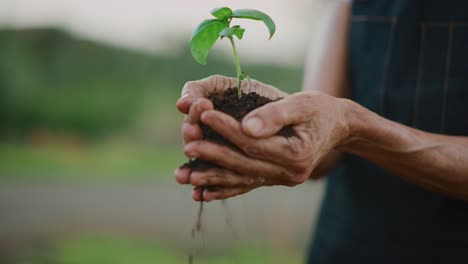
{"x": 276, "y": 149}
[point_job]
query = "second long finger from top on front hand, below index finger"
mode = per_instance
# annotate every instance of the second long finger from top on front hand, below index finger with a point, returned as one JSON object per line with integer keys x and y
{"x": 230, "y": 159}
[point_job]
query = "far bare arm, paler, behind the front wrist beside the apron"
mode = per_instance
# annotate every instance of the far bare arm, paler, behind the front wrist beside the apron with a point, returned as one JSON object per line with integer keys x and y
{"x": 326, "y": 64}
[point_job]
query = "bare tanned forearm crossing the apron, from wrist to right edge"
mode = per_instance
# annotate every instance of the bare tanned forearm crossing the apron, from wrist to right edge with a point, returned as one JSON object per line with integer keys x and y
{"x": 436, "y": 162}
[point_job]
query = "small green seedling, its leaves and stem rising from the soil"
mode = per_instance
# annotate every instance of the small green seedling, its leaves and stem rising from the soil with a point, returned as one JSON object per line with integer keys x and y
{"x": 208, "y": 32}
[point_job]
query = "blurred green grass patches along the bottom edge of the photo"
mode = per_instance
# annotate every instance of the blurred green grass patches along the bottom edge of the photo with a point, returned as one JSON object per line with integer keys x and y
{"x": 115, "y": 250}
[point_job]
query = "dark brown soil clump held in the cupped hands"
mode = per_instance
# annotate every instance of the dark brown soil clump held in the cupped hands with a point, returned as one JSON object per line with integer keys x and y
{"x": 230, "y": 103}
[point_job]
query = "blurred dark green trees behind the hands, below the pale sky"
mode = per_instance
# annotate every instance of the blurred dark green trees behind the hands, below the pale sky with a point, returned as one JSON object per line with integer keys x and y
{"x": 52, "y": 81}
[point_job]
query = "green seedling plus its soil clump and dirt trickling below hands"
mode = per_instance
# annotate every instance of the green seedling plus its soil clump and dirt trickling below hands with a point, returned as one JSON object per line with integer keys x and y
{"x": 203, "y": 39}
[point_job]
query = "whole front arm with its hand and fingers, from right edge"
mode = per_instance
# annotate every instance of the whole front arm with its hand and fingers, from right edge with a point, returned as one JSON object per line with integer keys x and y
{"x": 323, "y": 123}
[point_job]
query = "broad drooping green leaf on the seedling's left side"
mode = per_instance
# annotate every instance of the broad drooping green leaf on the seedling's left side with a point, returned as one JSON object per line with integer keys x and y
{"x": 204, "y": 37}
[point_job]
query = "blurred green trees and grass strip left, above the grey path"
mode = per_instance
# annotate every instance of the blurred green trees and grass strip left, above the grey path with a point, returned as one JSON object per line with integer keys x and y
{"x": 71, "y": 106}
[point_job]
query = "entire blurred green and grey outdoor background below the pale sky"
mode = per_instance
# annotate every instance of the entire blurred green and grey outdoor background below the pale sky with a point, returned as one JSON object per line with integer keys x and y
{"x": 89, "y": 140}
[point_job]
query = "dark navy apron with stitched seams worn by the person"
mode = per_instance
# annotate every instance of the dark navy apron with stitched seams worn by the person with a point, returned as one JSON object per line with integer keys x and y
{"x": 409, "y": 63}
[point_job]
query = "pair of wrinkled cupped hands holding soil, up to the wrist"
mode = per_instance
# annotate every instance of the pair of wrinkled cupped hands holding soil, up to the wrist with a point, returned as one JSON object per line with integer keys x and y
{"x": 319, "y": 121}
